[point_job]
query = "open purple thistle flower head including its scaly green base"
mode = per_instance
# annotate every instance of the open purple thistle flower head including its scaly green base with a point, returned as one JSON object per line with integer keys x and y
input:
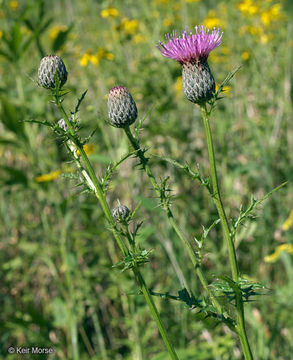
{"x": 192, "y": 51}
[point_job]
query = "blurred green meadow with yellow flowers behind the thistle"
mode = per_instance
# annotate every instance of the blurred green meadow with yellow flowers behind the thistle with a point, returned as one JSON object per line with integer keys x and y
{"x": 55, "y": 251}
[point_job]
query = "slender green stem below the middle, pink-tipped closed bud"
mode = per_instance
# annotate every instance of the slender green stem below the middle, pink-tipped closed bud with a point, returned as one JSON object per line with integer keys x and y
{"x": 171, "y": 219}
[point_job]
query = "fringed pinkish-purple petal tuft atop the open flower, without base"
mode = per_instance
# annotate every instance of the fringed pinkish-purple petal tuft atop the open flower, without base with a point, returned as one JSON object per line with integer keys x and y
{"x": 188, "y": 47}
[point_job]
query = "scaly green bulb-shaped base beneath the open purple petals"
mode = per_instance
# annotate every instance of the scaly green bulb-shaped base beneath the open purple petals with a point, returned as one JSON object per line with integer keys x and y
{"x": 198, "y": 81}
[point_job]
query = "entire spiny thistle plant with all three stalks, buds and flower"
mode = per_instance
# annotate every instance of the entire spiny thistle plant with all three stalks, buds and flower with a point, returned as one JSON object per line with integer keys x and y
{"x": 191, "y": 51}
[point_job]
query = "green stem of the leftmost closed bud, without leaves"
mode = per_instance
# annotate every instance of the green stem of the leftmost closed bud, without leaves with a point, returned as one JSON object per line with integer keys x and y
{"x": 95, "y": 184}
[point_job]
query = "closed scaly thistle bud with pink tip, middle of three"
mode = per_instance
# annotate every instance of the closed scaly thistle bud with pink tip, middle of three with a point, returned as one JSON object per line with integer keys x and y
{"x": 122, "y": 109}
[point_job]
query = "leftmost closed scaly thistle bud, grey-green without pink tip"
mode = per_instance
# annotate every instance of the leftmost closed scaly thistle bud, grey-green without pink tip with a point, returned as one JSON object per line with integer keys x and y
{"x": 48, "y": 67}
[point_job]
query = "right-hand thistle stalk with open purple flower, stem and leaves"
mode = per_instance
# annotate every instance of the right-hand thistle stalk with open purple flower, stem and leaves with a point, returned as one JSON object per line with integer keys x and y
{"x": 192, "y": 51}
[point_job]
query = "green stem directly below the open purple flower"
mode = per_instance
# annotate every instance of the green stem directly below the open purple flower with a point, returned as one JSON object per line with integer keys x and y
{"x": 240, "y": 327}
